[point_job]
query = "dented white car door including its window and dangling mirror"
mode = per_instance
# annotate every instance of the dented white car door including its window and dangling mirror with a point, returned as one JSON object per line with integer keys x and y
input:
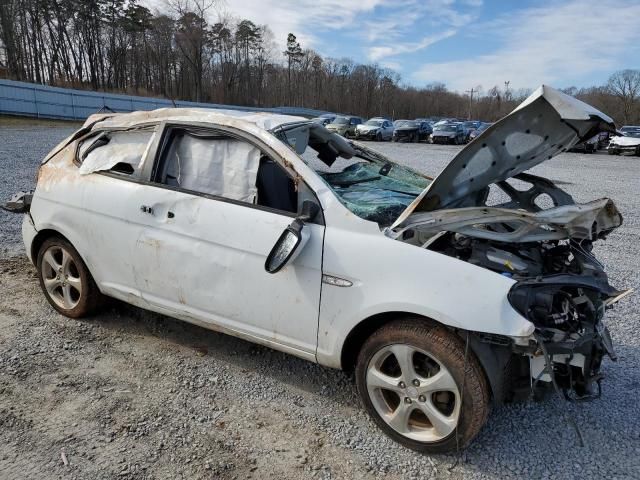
{"x": 208, "y": 231}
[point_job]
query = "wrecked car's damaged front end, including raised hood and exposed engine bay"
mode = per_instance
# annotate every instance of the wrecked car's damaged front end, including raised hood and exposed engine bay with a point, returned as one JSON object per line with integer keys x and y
{"x": 482, "y": 209}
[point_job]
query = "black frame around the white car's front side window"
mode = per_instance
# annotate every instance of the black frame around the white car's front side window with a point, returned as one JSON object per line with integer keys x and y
{"x": 160, "y": 142}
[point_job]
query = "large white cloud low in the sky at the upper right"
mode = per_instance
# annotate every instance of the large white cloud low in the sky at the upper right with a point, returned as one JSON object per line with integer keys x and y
{"x": 545, "y": 45}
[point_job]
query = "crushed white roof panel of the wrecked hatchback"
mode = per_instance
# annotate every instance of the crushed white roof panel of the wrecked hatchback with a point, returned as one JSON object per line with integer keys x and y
{"x": 263, "y": 120}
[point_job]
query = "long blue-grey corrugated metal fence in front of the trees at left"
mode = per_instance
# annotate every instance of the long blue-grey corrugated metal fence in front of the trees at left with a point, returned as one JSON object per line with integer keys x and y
{"x": 42, "y": 101}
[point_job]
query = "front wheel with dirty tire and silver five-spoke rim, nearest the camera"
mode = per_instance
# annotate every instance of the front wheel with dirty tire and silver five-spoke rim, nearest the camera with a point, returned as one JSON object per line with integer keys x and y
{"x": 462, "y": 411}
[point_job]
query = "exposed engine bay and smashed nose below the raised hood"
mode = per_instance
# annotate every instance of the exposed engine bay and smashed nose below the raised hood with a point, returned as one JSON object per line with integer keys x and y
{"x": 561, "y": 287}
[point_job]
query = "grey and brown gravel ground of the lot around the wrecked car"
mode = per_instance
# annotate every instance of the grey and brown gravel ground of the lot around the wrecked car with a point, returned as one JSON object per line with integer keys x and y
{"x": 132, "y": 394}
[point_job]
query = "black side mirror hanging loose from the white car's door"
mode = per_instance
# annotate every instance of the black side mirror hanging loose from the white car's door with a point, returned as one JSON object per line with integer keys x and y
{"x": 292, "y": 240}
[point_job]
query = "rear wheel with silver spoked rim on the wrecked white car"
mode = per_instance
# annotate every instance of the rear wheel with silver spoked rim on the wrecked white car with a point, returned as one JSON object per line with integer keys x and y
{"x": 57, "y": 262}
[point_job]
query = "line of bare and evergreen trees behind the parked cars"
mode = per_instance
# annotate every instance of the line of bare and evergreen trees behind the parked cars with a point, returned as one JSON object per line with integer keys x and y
{"x": 121, "y": 46}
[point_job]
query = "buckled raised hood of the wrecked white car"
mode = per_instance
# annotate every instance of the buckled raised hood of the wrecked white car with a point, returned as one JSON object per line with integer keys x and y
{"x": 547, "y": 123}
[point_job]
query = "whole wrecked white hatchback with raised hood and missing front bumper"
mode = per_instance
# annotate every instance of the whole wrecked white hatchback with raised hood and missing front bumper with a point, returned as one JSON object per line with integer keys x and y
{"x": 443, "y": 295}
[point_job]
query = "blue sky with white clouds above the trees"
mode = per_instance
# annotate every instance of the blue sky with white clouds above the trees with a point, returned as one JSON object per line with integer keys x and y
{"x": 464, "y": 43}
